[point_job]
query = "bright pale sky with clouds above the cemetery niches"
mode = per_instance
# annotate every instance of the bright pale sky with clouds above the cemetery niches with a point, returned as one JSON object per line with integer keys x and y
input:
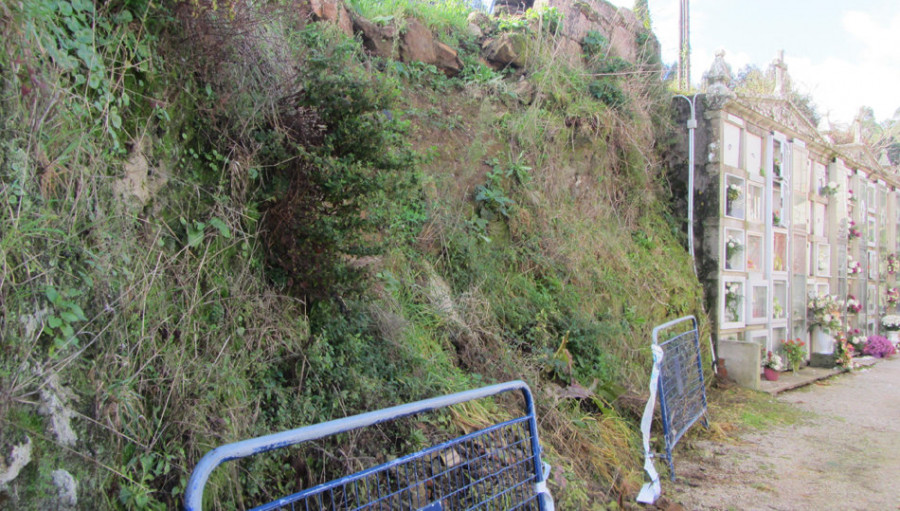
{"x": 846, "y": 54}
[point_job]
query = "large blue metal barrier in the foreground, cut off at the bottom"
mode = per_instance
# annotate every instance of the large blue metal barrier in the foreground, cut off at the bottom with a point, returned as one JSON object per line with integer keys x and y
{"x": 496, "y": 468}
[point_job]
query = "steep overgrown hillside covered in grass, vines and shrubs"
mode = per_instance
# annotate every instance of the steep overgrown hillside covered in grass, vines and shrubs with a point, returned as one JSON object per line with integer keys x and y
{"x": 225, "y": 220}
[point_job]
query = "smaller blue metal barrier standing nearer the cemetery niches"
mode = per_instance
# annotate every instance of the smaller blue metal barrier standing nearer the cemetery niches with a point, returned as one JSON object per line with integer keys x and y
{"x": 682, "y": 393}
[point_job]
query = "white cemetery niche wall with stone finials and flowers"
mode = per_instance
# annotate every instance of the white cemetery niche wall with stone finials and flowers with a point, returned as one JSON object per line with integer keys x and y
{"x": 796, "y": 236}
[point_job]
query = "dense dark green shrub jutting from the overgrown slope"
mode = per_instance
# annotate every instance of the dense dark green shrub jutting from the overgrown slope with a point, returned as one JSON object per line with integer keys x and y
{"x": 339, "y": 168}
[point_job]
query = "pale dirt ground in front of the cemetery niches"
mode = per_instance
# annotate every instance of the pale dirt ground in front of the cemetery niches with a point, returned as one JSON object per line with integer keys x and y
{"x": 845, "y": 456}
